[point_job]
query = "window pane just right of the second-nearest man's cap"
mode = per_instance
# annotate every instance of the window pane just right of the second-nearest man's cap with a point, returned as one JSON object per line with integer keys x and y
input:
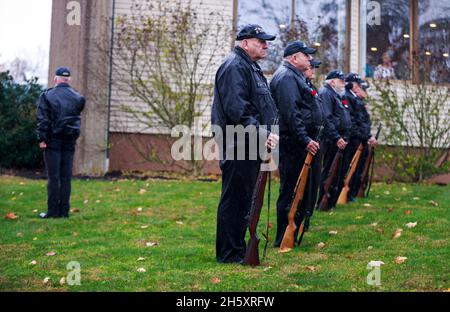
{"x": 323, "y": 25}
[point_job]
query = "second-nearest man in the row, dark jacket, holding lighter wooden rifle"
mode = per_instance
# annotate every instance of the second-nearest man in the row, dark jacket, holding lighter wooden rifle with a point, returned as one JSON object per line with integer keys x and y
{"x": 300, "y": 117}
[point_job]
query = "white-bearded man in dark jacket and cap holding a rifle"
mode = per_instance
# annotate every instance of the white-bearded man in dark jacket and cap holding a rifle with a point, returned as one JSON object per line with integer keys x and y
{"x": 339, "y": 123}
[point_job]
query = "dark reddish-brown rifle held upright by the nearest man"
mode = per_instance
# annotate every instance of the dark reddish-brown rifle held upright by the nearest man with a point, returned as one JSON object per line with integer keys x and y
{"x": 252, "y": 252}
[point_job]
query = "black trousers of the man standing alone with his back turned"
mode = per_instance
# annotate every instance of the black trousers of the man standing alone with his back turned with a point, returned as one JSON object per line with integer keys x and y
{"x": 58, "y": 158}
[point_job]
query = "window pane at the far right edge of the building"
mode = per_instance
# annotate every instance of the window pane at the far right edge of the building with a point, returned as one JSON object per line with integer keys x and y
{"x": 434, "y": 40}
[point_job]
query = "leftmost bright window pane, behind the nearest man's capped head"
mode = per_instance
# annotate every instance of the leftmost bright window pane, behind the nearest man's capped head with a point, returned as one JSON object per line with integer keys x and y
{"x": 274, "y": 17}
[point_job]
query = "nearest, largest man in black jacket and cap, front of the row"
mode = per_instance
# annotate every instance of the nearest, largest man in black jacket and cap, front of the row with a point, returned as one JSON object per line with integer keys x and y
{"x": 241, "y": 98}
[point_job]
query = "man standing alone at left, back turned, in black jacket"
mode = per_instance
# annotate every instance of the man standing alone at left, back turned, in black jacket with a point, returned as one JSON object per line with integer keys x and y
{"x": 58, "y": 127}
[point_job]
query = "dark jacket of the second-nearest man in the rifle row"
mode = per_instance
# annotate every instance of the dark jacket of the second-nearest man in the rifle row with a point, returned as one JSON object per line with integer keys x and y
{"x": 298, "y": 104}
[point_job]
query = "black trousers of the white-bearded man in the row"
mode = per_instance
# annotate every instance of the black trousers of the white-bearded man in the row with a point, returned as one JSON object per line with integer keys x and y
{"x": 329, "y": 152}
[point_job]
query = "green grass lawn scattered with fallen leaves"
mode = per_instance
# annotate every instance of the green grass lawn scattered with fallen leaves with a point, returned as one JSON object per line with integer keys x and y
{"x": 109, "y": 234}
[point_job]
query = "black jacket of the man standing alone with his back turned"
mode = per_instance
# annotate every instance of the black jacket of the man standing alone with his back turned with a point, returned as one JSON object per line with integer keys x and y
{"x": 58, "y": 113}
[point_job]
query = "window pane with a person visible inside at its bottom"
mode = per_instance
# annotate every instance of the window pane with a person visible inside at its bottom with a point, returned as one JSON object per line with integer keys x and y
{"x": 388, "y": 39}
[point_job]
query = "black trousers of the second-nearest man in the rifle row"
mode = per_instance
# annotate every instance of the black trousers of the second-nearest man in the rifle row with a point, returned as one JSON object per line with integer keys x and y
{"x": 291, "y": 162}
